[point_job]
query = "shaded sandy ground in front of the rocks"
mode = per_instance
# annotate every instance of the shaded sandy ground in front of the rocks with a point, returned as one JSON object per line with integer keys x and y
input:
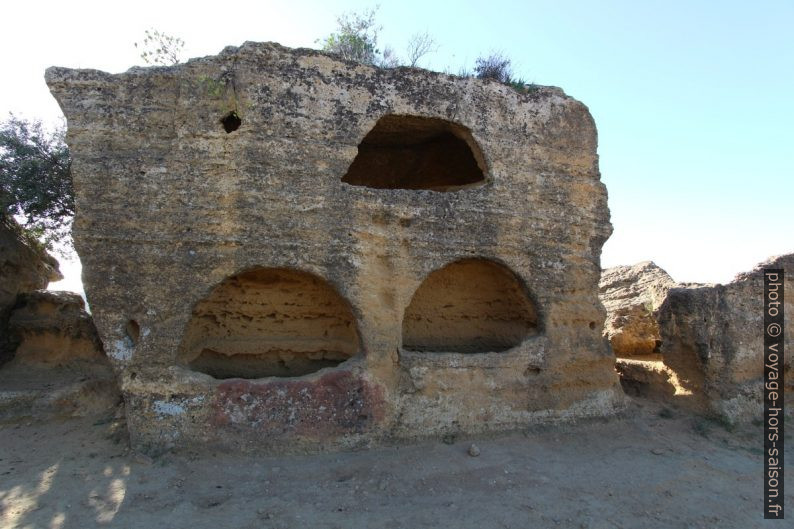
{"x": 648, "y": 469}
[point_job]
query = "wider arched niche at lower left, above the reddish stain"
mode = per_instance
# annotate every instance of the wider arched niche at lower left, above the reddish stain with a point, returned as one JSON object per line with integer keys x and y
{"x": 269, "y": 322}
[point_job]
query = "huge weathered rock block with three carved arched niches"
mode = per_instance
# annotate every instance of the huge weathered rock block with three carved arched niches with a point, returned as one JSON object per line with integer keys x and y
{"x": 283, "y": 250}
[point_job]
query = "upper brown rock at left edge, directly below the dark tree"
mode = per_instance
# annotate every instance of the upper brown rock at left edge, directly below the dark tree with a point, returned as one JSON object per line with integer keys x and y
{"x": 24, "y": 267}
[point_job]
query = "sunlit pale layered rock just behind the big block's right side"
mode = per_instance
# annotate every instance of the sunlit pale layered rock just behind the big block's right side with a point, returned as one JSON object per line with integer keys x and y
{"x": 631, "y": 295}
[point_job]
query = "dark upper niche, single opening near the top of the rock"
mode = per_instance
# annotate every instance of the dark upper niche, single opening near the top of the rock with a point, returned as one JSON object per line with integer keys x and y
{"x": 411, "y": 152}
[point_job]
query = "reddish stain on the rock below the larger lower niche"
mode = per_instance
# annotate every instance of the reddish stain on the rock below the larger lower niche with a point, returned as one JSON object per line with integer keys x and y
{"x": 335, "y": 403}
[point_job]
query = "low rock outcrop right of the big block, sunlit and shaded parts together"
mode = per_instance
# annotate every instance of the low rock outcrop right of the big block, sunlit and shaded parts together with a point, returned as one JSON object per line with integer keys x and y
{"x": 706, "y": 340}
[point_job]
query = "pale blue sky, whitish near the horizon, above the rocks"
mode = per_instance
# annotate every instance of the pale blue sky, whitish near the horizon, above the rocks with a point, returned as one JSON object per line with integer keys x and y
{"x": 694, "y": 101}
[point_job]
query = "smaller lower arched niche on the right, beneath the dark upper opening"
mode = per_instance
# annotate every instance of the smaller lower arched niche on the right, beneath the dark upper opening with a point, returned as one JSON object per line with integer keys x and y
{"x": 469, "y": 306}
